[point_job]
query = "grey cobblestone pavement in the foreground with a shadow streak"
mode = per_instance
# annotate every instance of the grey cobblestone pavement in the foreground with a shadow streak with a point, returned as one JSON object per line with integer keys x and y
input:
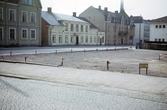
{"x": 17, "y": 94}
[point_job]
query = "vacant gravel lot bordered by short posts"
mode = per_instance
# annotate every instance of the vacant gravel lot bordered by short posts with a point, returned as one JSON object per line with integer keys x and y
{"x": 124, "y": 61}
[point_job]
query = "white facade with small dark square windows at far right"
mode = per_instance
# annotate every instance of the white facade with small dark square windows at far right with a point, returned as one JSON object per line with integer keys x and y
{"x": 158, "y": 29}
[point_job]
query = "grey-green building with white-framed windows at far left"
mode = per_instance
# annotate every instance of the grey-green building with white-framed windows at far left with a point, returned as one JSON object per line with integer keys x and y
{"x": 20, "y": 22}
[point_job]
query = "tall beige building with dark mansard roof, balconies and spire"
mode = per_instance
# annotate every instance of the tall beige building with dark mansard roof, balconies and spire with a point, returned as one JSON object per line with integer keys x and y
{"x": 118, "y": 26}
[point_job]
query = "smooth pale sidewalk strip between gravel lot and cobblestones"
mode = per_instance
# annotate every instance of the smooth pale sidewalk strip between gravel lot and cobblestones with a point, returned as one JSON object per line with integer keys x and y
{"x": 130, "y": 82}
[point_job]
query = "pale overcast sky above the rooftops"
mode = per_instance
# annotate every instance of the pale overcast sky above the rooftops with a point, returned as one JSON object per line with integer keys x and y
{"x": 148, "y": 9}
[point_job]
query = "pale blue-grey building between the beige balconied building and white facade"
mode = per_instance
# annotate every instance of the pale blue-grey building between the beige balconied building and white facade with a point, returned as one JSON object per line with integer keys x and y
{"x": 142, "y": 30}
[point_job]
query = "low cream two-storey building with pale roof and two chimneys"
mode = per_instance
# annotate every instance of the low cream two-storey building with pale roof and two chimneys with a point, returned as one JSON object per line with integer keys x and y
{"x": 60, "y": 29}
